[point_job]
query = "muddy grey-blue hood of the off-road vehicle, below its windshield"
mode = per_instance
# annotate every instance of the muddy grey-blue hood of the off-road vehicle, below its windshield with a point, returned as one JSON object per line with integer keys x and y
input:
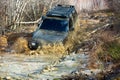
{"x": 47, "y": 36}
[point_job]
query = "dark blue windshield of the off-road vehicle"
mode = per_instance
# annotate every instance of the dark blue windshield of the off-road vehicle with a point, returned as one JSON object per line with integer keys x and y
{"x": 55, "y": 25}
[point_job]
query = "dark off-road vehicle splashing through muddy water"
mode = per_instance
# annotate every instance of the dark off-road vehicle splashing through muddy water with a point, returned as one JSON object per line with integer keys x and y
{"x": 54, "y": 26}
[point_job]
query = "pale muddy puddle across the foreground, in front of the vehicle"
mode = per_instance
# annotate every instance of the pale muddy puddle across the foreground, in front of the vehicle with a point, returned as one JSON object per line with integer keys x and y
{"x": 36, "y": 67}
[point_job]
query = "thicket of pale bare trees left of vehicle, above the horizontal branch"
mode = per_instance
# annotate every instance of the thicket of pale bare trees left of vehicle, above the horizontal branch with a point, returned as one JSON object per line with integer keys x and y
{"x": 14, "y": 11}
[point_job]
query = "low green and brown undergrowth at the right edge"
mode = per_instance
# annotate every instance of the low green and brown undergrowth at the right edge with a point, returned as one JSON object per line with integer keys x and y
{"x": 109, "y": 51}
